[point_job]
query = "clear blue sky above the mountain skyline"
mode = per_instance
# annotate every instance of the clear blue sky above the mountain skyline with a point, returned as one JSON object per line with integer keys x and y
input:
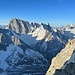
{"x": 56, "y": 12}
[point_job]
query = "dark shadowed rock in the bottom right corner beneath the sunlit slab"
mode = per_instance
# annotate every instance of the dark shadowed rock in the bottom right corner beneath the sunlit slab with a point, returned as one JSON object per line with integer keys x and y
{"x": 68, "y": 68}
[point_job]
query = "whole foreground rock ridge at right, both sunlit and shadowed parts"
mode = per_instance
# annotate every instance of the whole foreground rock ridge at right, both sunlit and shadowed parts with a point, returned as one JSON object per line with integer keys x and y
{"x": 63, "y": 63}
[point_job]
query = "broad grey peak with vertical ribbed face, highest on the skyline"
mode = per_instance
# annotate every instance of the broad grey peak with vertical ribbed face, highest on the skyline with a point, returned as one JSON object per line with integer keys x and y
{"x": 19, "y": 26}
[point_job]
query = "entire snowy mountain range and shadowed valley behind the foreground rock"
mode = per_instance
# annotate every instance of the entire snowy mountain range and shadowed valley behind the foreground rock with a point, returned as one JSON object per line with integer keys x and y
{"x": 28, "y": 48}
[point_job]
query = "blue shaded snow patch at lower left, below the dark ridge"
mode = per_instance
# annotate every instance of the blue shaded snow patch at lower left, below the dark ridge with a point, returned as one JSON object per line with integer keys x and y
{"x": 5, "y": 54}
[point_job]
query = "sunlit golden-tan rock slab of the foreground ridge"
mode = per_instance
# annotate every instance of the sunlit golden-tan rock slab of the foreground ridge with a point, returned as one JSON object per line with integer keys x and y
{"x": 60, "y": 60}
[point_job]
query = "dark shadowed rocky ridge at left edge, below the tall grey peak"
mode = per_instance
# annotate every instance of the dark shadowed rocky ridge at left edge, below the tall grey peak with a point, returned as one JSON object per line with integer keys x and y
{"x": 7, "y": 38}
